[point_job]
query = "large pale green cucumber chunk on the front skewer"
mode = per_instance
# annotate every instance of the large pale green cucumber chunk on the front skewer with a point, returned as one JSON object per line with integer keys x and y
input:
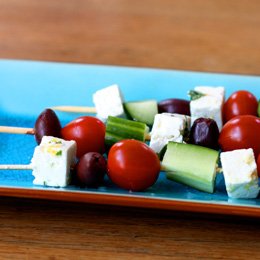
{"x": 191, "y": 165}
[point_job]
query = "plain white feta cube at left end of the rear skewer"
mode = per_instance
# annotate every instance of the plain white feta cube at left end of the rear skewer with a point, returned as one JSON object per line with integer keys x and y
{"x": 108, "y": 102}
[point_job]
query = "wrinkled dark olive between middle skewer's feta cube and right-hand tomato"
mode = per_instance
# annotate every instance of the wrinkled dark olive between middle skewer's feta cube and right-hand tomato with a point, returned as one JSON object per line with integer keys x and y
{"x": 204, "y": 132}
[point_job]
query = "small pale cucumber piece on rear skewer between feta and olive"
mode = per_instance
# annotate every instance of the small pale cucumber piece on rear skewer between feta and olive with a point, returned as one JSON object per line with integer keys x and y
{"x": 142, "y": 111}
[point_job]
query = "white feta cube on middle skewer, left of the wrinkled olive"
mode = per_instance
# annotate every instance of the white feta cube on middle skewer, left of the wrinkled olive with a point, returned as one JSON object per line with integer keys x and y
{"x": 168, "y": 127}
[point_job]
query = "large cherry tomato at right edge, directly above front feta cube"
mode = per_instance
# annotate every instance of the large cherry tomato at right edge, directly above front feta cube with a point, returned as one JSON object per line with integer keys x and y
{"x": 241, "y": 132}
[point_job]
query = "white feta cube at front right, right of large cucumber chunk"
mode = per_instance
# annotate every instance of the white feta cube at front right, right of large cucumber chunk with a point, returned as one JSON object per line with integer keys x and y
{"x": 240, "y": 173}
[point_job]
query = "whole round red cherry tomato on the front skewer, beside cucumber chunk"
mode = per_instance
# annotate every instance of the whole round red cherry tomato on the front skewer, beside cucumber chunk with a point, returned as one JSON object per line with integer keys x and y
{"x": 133, "y": 165}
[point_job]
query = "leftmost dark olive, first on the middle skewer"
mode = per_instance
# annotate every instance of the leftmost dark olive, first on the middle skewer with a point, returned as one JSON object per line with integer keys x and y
{"x": 48, "y": 124}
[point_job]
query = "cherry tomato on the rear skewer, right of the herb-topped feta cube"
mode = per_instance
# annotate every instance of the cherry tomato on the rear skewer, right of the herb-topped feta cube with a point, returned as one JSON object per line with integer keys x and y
{"x": 241, "y": 102}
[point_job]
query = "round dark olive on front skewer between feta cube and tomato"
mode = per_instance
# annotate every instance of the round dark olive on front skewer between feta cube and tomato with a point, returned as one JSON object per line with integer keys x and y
{"x": 91, "y": 169}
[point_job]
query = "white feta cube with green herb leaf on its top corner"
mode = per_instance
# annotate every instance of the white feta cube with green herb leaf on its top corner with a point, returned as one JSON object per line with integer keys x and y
{"x": 209, "y": 105}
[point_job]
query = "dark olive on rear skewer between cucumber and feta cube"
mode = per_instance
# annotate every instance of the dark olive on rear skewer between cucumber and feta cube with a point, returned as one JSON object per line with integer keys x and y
{"x": 173, "y": 105}
